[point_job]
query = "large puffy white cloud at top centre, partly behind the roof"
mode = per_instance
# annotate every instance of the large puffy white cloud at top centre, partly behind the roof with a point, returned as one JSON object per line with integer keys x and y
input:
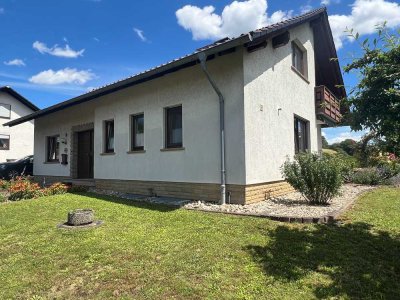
{"x": 236, "y": 18}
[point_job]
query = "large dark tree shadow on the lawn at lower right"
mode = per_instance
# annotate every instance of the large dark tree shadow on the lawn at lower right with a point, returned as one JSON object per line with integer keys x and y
{"x": 354, "y": 262}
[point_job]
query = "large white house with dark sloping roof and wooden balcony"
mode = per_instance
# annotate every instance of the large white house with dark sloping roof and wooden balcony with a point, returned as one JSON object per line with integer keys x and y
{"x": 159, "y": 132}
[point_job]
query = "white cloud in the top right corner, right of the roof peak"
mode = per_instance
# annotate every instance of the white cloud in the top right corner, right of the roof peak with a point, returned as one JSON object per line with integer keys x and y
{"x": 365, "y": 15}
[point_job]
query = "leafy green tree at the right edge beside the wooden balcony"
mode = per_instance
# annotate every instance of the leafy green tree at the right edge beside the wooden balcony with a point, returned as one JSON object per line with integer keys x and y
{"x": 375, "y": 101}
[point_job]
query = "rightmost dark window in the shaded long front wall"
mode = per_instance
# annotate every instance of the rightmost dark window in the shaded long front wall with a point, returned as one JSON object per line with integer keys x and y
{"x": 173, "y": 127}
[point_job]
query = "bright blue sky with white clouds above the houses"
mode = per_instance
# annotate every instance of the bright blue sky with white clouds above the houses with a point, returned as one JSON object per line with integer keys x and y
{"x": 54, "y": 50}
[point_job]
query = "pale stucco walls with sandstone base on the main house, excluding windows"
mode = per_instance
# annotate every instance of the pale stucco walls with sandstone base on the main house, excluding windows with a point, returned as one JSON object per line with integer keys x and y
{"x": 263, "y": 94}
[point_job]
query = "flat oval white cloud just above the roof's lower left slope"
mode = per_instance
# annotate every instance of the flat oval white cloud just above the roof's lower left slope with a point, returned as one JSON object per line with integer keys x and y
{"x": 67, "y": 75}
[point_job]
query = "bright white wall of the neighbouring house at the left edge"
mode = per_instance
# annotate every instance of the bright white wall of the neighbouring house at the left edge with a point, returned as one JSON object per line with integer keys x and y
{"x": 21, "y": 136}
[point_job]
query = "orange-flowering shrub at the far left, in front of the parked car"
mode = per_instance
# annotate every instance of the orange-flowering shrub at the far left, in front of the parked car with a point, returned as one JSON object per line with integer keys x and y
{"x": 22, "y": 188}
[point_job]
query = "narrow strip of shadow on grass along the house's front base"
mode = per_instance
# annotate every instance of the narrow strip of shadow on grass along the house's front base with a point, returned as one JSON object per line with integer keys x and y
{"x": 129, "y": 202}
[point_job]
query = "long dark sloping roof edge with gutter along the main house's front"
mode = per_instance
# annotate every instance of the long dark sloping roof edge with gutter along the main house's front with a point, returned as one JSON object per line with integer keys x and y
{"x": 190, "y": 58}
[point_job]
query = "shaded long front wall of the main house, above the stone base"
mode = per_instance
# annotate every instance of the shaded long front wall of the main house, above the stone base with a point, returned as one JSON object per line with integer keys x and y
{"x": 198, "y": 162}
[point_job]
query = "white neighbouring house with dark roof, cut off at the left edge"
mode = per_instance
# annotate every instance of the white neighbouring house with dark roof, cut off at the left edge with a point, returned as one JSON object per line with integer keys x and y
{"x": 15, "y": 142}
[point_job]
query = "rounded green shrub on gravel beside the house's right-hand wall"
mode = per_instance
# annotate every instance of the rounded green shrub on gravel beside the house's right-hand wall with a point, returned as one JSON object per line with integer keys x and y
{"x": 317, "y": 178}
